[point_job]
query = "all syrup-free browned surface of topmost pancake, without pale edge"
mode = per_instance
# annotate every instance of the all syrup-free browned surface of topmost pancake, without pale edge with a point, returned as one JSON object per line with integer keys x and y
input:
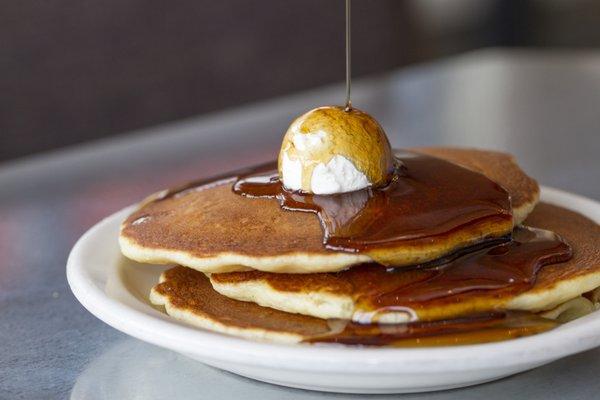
{"x": 213, "y": 221}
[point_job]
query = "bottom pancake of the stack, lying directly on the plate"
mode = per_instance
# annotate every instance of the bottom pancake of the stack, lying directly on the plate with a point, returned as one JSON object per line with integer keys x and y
{"x": 188, "y": 296}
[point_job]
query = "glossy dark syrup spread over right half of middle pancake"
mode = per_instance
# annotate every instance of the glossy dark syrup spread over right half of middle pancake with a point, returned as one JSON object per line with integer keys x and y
{"x": 504, "y": 268}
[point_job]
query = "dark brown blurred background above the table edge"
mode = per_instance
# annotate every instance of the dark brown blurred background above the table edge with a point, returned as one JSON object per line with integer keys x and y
{"x": 77, "y": 70}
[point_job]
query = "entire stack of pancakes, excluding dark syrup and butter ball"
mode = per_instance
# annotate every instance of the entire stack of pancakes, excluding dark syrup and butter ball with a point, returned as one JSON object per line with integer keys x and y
{"x": 246, "y": 267}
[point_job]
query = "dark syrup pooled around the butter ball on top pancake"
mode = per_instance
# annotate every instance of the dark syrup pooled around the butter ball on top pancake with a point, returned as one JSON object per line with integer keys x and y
{"x": 428, "y": 197}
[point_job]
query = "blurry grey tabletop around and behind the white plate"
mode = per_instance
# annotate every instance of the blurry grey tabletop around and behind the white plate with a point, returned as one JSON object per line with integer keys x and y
{"x": 541, "y": 106}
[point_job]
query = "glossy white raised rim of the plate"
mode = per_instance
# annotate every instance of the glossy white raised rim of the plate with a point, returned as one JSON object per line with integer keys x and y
{"x": 190, "y": 340}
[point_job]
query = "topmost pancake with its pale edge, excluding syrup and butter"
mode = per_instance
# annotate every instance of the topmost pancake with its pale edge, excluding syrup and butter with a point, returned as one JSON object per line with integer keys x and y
{"x": 214, "y": 230}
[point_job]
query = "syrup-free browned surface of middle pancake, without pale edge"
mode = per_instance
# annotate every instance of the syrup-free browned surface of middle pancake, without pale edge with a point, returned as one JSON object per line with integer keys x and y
{"x": 580, "y": 232}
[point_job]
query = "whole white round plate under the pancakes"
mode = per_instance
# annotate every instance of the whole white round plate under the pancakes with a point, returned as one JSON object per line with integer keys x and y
{"x": 115, "y": 290}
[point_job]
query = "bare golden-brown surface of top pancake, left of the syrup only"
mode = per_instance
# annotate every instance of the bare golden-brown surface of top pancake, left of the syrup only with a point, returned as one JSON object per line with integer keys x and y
{"x": 208, "y": 222}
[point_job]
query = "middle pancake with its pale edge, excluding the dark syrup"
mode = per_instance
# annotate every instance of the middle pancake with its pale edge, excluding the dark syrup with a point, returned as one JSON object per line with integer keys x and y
{"x": 333, "y": 295}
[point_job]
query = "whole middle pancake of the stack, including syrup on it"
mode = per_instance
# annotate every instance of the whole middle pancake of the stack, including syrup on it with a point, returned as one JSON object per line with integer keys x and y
{"x": 507, "y": 275}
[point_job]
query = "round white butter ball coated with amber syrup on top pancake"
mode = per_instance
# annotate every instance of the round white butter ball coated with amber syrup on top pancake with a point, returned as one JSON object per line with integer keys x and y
{"x": 332, "y": 150}
